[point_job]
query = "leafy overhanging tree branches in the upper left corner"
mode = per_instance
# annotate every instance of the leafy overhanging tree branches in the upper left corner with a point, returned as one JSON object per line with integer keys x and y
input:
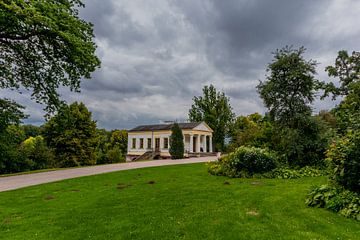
{"x": 43, "y": 45}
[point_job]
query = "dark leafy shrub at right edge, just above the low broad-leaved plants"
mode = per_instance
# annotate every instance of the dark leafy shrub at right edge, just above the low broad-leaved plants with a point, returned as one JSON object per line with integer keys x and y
{"x": 343, "y": 157}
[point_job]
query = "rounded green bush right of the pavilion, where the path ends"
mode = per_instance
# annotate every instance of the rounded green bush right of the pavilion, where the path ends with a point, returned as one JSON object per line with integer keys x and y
{"x": 247, "y": 161}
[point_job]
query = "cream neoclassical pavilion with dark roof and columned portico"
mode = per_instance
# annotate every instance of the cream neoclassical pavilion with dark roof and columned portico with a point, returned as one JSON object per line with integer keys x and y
{"x": 154, "y": 139}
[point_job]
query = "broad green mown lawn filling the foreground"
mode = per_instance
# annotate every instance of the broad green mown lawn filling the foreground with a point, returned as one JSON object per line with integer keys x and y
{"x": 174, "y": 202}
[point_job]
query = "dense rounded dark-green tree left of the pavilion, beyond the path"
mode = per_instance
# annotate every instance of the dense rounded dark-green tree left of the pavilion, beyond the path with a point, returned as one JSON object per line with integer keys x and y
{"x": 72, "y": 134}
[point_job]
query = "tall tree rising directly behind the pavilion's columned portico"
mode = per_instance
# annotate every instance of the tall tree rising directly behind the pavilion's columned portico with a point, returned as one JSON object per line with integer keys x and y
{"x": 213, "y": 108}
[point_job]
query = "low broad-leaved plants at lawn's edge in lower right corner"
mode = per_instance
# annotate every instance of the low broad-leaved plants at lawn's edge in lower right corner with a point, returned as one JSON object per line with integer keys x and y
{"x": 337, "y": 199}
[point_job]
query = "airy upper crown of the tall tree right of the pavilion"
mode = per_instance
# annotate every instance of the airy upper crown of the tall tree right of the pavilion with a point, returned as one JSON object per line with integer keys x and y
{"x": 290, "y": 88}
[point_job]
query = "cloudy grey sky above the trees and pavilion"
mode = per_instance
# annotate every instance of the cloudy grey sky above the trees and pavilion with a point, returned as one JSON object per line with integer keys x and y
{"x": 158, "y": 54}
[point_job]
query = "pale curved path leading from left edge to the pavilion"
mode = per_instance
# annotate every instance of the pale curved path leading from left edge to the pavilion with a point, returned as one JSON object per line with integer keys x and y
{"x": 25, "y": 180}
